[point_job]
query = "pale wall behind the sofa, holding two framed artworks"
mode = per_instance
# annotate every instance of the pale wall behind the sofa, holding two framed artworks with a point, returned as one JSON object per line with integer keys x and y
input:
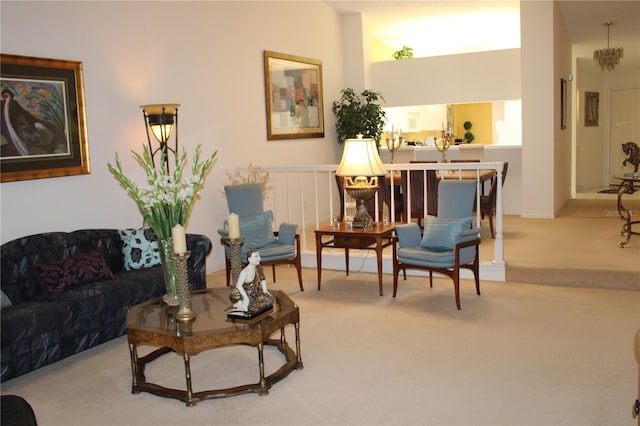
{"x": 206, "y": 56}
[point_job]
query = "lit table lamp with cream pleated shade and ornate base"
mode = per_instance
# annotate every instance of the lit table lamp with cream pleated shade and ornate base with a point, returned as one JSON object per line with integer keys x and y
{"x": 361, "y": 166}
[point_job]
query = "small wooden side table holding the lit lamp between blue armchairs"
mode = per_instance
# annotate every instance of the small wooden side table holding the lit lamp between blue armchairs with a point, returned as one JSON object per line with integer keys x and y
{"x": 377, "y": 238}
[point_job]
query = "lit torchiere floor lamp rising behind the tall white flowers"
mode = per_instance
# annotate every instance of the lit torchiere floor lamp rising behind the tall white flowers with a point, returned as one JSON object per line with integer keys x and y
{"x": 161, "y": 120}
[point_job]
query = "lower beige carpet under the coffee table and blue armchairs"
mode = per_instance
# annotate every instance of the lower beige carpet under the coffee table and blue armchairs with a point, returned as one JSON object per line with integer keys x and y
{"x": 517, "y": 355}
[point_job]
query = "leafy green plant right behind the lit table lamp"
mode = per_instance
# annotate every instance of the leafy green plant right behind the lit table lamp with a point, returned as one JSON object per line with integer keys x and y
{"x": 359, "y": 114}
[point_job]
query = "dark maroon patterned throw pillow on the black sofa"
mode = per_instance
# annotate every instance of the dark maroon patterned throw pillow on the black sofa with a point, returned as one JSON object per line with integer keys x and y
{"x": 73, "y": 272}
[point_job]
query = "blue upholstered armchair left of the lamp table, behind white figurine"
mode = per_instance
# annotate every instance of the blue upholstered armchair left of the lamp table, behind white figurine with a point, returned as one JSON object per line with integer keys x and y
{"x": 256, "y": 229}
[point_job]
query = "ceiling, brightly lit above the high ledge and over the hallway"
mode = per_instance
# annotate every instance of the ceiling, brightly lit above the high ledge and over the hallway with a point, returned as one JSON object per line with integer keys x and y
{"x": 445, "y": 27}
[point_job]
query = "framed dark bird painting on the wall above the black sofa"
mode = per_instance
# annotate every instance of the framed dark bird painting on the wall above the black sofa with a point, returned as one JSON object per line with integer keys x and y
{"x": 44, "y": 130}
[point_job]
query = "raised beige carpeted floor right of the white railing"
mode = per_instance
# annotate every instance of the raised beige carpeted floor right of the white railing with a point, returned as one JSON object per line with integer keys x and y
{"x": 578, "y": 248}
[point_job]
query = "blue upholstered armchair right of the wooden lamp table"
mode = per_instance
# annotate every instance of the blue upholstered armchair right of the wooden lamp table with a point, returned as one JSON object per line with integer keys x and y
{"x": 449, "y": 242}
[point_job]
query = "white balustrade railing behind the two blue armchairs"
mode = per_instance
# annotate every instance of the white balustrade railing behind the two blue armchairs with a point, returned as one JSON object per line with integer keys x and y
{"x": 308, "y": 196}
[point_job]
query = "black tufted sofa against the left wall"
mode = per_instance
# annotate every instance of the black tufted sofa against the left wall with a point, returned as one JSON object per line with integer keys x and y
{"x": 40, "y": 328}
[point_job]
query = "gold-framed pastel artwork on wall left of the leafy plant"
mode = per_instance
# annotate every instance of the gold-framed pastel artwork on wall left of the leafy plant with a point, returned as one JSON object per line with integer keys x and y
{"x": 293, "y": 91}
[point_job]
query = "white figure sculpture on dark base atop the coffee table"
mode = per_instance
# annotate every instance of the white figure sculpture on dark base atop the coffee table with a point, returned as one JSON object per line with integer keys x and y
{"x": 251, "y": 285}
